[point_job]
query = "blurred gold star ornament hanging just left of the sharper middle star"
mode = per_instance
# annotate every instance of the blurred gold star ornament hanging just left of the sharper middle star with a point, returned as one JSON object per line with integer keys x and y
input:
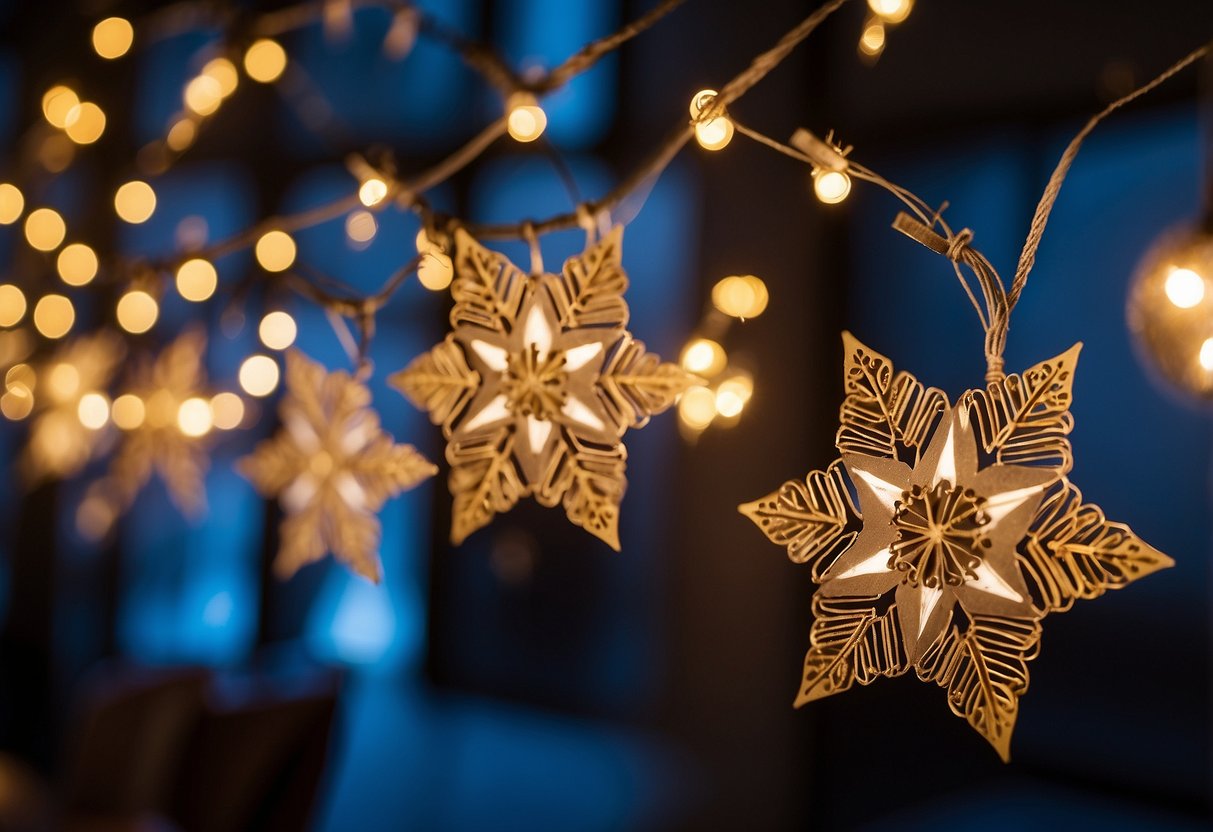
{"x": 332, "y": 468}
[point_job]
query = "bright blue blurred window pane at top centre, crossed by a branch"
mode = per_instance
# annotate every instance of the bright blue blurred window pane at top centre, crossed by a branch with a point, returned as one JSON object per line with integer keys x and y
{"x": 544, "y": 33}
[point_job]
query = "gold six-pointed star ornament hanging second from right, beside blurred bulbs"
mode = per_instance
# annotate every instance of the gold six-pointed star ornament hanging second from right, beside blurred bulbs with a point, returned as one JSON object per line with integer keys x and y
{"x": 537, "y": 385}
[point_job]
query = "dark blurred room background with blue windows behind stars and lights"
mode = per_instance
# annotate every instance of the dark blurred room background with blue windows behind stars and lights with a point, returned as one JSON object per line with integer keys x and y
{"x": 534, "y": 680}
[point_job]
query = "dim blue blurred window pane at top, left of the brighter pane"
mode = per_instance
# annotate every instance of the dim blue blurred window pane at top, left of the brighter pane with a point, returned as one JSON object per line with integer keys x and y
{"x": 415, "y": 100}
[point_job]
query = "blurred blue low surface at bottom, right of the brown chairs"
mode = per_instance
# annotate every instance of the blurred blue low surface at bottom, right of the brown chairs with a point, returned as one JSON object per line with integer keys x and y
{"x": 468, "y": 765}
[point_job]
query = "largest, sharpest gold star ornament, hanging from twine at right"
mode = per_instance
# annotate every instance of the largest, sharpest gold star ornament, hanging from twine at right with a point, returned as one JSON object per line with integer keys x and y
{"x": 944, "y": 534}
